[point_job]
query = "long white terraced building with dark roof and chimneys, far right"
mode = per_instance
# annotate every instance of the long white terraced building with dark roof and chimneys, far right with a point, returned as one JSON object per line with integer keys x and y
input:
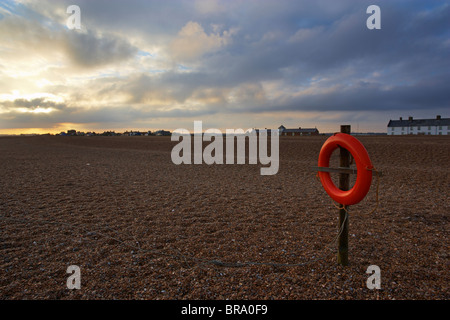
{"x": 437, "y": 126}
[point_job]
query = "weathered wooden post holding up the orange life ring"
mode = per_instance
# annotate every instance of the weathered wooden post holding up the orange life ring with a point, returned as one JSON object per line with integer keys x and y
{"x": 344, "y": 184}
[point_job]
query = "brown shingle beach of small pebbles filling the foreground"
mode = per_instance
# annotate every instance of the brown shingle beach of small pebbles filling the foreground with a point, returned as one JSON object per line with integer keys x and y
{"x": 140, "y": 227}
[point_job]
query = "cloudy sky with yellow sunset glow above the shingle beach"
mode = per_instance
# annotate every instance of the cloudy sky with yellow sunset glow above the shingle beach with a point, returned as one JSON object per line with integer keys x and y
{"x": 150, "y": 65}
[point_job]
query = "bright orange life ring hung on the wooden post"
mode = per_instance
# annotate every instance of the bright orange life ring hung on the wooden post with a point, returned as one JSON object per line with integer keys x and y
{"x": 363, "y": 167}
